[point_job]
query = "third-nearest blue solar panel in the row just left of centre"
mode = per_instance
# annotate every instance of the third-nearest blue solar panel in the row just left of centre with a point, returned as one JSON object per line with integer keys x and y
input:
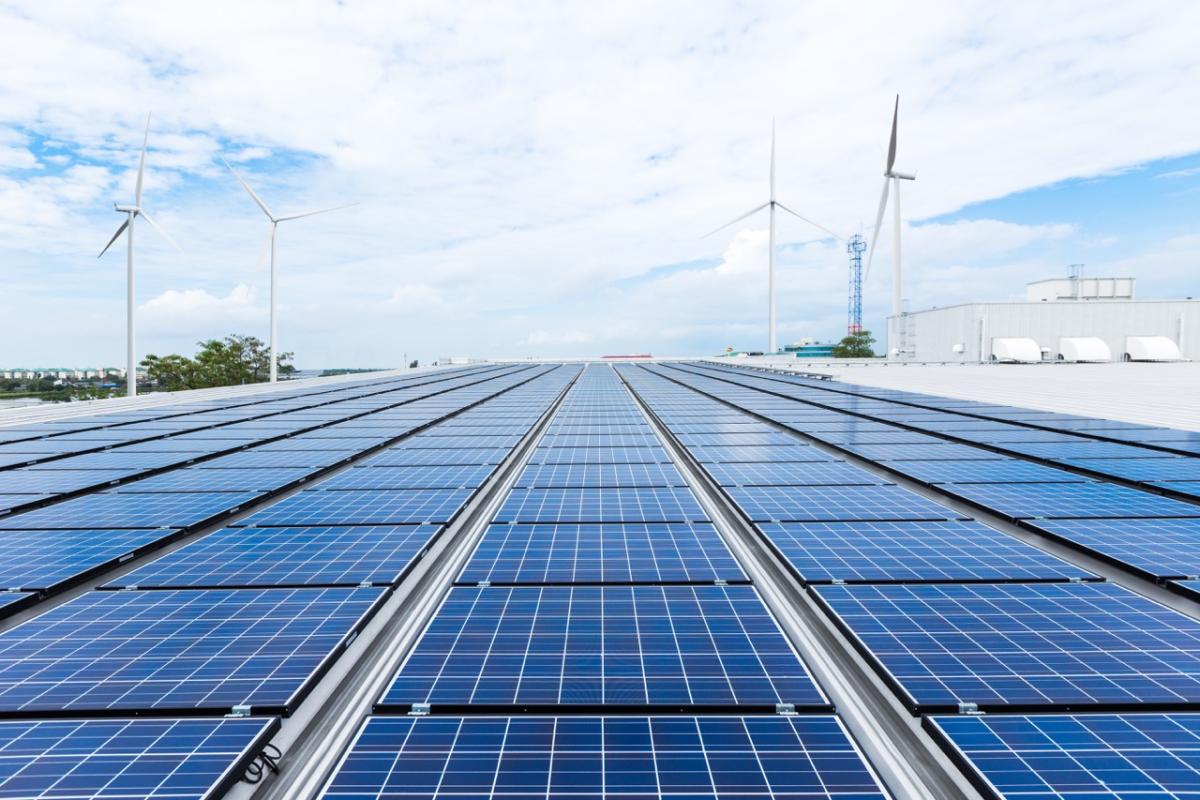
{"x": 289, "y": 557}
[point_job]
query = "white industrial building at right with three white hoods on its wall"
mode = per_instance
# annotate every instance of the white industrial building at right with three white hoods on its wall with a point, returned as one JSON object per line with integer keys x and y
{"x": 1061, "y": 320}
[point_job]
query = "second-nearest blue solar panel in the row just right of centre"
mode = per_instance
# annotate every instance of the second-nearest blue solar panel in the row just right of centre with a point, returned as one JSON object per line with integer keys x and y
{"x": 1023, "y": 646}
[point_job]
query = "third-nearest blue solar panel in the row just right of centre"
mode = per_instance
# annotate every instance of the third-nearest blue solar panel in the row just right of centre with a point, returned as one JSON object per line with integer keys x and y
{"x": 883, "y": 552}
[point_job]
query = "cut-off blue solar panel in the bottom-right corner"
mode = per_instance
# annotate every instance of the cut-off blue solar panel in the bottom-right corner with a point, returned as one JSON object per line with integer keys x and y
{"x": 1087, "y": 756}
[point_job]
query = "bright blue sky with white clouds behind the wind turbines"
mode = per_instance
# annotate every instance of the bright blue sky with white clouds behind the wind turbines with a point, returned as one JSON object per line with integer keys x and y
{"x": 537, "y": 179}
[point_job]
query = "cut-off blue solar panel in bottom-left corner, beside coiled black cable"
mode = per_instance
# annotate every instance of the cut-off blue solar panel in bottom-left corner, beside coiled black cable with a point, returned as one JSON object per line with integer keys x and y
{"x": 122, "y": 760}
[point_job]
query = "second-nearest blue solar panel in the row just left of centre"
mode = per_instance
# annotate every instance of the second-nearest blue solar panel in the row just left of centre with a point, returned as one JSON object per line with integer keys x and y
{"x": 178, "y": 651}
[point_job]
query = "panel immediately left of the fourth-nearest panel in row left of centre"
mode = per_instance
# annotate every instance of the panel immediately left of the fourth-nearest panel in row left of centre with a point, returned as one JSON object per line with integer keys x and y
{"x": 113, "y": 510}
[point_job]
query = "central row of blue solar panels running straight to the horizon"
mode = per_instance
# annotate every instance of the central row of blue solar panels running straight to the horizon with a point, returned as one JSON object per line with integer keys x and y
{"x": 602, "y": 588}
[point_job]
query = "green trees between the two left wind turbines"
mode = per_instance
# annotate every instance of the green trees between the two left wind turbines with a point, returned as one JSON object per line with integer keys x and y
{"x": 220, "y": 363}
